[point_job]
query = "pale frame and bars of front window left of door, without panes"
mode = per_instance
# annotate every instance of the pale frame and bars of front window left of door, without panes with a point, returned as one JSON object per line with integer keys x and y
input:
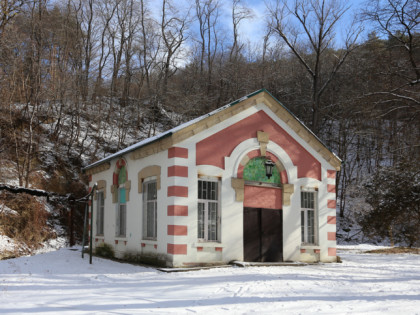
{"x": 206, "y": 203}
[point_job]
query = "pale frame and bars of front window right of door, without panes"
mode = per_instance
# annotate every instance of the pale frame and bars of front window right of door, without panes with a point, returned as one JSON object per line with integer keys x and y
{"x": 308, "y": 238}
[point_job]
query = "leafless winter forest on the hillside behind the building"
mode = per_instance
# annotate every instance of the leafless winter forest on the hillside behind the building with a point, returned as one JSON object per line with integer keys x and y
{"x": 80, "y": 79}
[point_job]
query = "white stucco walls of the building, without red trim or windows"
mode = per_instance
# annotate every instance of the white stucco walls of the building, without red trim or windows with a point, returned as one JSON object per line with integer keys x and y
{"x": 231, "y": 245}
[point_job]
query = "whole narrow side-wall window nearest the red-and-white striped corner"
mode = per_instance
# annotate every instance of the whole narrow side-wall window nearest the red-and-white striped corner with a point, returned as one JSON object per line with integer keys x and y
{"x": 150, "y": 209}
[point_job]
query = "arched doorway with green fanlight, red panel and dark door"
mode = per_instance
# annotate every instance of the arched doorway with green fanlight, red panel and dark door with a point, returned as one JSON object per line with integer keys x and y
{"x": 263, "y": 219}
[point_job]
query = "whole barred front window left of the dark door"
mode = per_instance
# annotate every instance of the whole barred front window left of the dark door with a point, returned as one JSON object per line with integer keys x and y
{"x": 208, "y": 216}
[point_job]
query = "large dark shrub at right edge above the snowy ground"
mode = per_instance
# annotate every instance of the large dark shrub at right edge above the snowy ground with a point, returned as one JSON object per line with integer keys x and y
{"x": 394, "y": 196}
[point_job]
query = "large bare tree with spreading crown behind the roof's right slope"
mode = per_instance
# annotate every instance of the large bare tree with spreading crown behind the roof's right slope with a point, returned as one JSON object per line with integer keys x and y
{"x": 308, "y": 28}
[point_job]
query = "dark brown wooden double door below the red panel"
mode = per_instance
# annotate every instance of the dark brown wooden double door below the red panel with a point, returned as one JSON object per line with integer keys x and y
{"x": 263, "y": 235}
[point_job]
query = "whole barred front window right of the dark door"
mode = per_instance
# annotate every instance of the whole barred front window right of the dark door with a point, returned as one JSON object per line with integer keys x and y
{"x": 307, "y": 217}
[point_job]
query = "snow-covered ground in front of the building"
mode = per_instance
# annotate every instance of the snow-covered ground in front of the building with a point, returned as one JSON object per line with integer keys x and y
{"x": 61, "y": 282}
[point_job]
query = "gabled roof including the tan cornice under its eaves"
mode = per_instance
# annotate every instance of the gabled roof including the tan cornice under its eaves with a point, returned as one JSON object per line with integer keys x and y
{"x": 175, "y": 135}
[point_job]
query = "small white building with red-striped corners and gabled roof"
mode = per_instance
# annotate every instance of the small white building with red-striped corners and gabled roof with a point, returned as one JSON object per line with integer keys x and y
{"x": 198, "y": 194}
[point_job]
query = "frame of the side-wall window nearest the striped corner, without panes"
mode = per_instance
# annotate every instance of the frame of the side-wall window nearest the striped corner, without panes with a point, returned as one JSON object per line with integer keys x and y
{"x": 146, "y": 202}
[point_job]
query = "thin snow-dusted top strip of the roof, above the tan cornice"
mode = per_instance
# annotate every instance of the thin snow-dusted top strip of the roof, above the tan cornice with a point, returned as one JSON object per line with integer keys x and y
{"x": 191, "y": 122}
